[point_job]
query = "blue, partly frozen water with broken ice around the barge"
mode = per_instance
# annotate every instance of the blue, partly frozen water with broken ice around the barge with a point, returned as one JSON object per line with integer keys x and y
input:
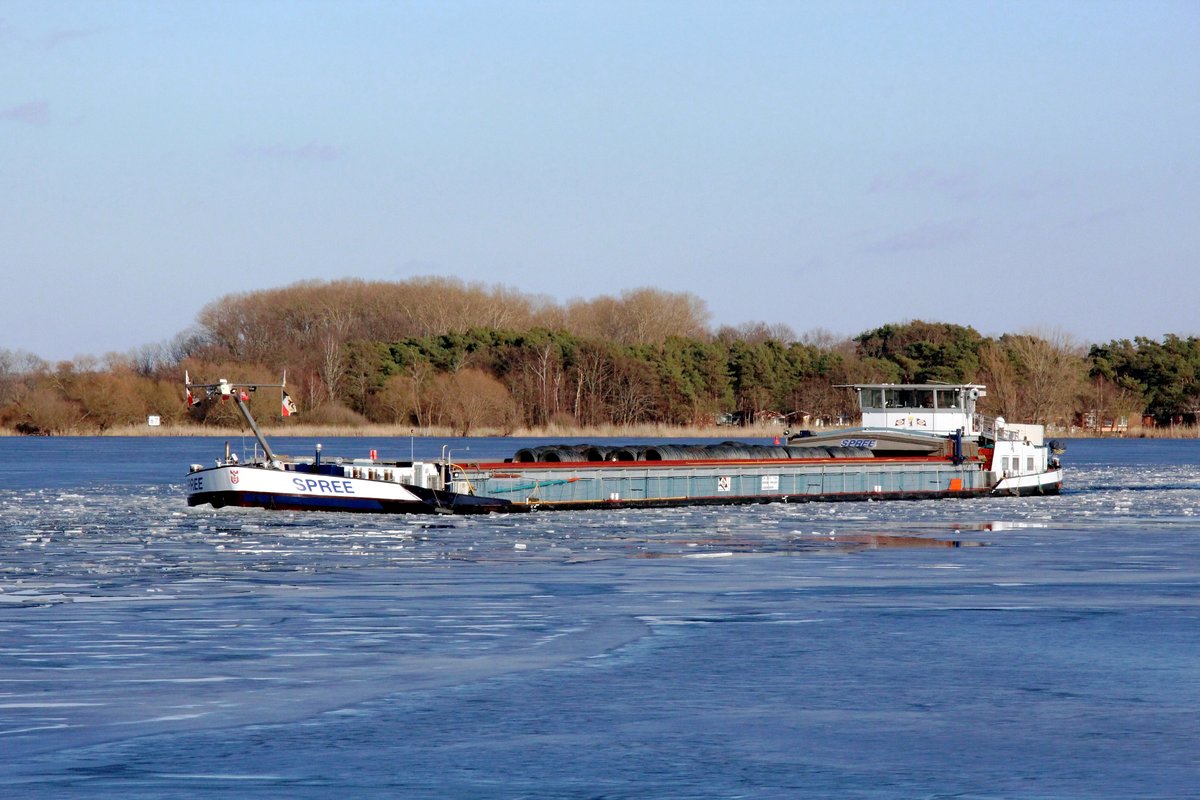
{"x": 1001, "y": 648}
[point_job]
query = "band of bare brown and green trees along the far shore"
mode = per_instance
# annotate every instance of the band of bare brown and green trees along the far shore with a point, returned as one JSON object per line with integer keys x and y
{"x": 437, "y": 353}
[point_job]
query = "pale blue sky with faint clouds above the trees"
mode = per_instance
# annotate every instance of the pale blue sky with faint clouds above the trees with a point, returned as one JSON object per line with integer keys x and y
{"x": 1011, "y": 166}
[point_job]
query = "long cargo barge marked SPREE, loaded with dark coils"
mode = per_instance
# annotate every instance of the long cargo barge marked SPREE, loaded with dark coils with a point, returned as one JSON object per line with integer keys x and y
{"x": 916, "y": 442}
